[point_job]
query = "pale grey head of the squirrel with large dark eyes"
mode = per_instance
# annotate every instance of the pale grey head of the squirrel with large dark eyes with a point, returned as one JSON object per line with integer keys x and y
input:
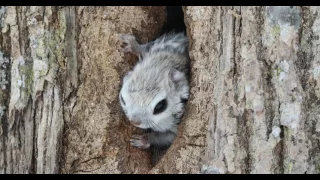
{"x": 154, "y": 99}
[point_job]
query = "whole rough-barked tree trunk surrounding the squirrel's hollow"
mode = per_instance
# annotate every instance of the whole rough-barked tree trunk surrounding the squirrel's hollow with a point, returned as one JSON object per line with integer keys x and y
{"x": 254, "y": 104}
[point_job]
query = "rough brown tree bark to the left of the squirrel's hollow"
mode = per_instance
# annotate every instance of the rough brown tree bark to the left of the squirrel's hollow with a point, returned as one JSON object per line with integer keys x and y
{"x": 60, "y": 75}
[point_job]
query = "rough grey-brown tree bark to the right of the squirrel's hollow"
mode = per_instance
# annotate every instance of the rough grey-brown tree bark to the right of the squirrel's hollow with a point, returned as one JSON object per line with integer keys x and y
{"x": 255, "y": 92}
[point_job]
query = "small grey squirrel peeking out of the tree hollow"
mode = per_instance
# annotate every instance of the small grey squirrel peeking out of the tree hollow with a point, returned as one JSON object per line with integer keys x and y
{"x": 154, "y": 93}
